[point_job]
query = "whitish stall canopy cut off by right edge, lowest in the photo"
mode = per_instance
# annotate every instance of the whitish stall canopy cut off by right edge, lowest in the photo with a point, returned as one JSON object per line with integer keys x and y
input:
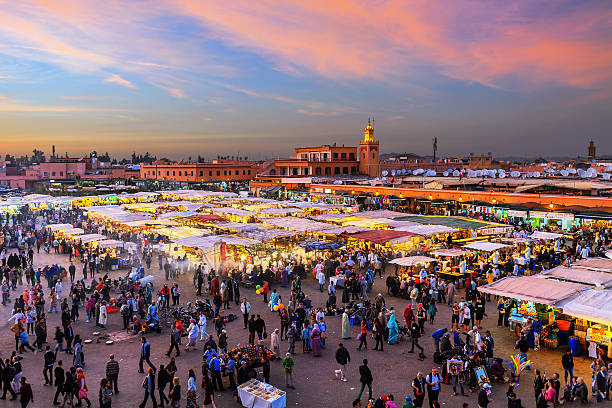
{"x": 594, "y": 305}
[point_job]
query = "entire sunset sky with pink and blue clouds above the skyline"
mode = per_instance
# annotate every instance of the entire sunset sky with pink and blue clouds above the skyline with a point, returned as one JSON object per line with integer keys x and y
{"x": 183, "y": 78}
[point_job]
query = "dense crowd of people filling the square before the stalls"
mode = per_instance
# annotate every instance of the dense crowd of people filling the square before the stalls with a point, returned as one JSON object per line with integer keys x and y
{"x": 465, "y": 345}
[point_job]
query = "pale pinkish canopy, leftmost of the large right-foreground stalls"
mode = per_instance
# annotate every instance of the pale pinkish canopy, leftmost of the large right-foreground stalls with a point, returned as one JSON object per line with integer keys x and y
{"x": 533, "y": 289}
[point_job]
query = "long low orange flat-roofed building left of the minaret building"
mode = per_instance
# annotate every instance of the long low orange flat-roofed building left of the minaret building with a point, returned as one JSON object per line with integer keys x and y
{"x": 218, "y": 170}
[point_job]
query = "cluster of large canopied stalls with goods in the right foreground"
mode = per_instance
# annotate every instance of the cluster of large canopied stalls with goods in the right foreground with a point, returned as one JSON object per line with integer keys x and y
{"x": 573, "y": 303}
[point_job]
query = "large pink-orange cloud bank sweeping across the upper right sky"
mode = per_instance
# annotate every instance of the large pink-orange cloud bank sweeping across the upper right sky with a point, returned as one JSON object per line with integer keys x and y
{"x": 474, "y": 41}
